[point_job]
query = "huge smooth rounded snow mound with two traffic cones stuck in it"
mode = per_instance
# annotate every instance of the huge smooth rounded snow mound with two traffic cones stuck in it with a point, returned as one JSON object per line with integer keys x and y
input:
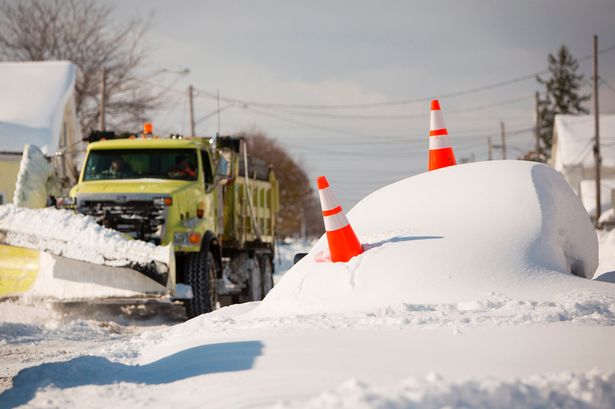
{"x": 463, "y": 233}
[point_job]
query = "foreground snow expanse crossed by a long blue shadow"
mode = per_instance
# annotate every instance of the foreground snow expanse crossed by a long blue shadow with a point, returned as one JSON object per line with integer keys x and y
{"x": 226, "y": 361}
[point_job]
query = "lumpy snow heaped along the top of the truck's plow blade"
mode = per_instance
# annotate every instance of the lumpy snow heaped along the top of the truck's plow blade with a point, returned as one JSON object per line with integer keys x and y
{"x": 75, "y": 236}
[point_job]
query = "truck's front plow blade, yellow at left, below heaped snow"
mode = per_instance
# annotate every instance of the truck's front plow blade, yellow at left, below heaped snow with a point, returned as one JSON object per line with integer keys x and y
{"x": 47, "y": 273}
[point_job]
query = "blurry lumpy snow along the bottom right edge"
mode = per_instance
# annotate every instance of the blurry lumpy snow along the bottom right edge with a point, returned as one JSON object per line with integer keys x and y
{"x": 565, "y": 390}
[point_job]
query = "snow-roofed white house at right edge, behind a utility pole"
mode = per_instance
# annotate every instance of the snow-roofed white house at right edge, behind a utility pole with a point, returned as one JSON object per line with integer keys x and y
{"x": 573, "y": 156}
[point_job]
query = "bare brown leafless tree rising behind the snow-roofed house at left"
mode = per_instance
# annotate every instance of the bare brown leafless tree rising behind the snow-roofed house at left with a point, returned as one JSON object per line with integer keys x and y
{"x": 81, "y": 31}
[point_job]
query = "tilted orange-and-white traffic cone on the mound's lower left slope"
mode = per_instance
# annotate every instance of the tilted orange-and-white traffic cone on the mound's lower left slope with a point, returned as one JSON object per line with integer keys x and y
{"x": 343, "y": 242}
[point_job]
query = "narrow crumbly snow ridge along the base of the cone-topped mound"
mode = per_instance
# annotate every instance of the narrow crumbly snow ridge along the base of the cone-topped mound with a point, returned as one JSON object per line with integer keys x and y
{"x": 458, "y": 318}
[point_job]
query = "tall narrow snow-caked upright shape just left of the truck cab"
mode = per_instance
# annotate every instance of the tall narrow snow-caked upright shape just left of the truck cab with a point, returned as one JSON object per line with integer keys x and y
{"x": 35, "y": 180}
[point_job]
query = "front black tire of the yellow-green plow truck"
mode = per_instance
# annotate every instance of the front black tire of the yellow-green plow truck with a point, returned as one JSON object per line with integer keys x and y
{"x": 200, "y": 273}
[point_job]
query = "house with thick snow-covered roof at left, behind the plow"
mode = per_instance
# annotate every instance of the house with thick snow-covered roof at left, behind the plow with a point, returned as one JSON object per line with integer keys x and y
{"x": 37, "y": 107}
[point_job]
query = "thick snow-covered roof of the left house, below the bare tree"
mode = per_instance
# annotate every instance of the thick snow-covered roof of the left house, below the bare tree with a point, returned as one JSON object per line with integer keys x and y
{"x": 32, "y": 103}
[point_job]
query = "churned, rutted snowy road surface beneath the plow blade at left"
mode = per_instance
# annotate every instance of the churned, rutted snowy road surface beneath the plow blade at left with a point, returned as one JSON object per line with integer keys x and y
{"x": 34, "y": 334}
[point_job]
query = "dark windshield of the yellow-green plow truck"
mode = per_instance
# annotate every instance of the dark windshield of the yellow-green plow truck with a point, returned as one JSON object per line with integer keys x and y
{"x": 106, "y": 164}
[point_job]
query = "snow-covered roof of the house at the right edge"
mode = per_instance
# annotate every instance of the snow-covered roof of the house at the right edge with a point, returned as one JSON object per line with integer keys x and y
{"x": 574, "y": 144}
